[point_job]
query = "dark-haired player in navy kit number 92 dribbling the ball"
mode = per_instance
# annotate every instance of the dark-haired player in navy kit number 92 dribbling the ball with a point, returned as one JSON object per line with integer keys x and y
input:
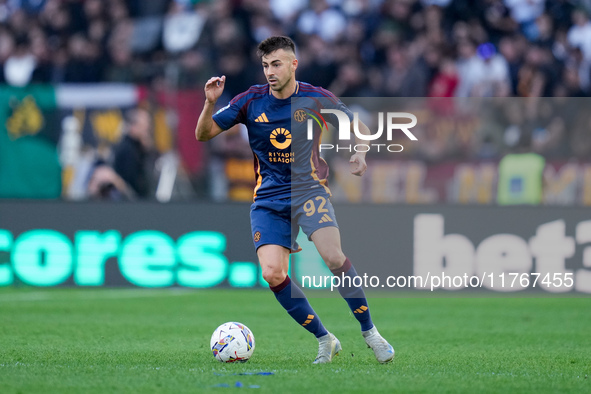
{"x": 287, "y": 198}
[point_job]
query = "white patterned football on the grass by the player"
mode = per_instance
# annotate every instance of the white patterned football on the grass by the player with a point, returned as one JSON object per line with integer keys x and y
{"x": 232, "y": 342}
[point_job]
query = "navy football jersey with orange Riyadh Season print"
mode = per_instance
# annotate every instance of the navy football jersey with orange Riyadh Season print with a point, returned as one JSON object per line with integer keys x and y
{"x": 286, "y": 161}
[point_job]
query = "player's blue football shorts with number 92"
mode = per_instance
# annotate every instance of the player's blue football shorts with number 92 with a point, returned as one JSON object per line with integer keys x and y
{"x": 277, "y": 222}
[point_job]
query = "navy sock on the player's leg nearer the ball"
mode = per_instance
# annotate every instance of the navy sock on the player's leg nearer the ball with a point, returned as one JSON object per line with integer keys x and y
{"x": 291, "y": 297}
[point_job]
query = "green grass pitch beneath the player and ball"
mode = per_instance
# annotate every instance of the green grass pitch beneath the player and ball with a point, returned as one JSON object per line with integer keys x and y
{"x": 157, "y": 341}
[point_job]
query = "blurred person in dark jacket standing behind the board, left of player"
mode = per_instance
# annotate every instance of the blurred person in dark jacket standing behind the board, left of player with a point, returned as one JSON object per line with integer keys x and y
{"x": 132, "y": 154}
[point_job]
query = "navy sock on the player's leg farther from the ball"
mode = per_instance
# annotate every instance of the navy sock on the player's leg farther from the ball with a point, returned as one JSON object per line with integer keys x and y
{"x": 355, "y": 296}
